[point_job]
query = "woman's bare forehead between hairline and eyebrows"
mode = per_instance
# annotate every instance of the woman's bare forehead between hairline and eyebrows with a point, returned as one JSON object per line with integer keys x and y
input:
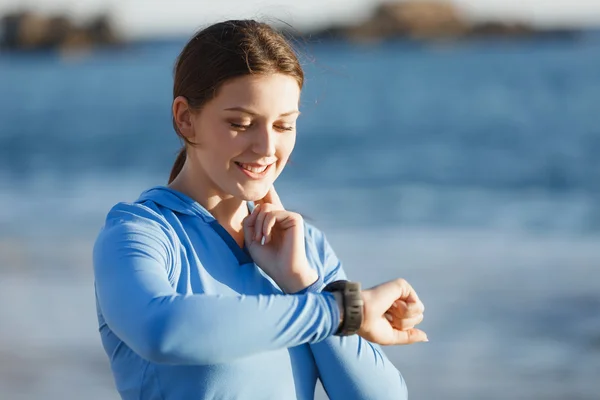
{"x": 272, "y": 93}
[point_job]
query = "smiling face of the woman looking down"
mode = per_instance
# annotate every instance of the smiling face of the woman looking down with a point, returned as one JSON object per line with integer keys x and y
{"x": 245, "y": 135}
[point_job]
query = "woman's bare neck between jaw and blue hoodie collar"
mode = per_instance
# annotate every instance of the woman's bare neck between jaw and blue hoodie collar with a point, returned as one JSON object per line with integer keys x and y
{"x": 228, "y": 210}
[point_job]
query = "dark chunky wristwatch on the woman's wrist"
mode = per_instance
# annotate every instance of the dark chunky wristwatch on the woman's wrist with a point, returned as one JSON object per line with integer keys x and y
{"x": 352, "y": 306}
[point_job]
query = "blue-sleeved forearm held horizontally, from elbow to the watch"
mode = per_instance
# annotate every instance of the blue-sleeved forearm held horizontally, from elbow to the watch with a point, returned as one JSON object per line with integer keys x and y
{"x": 200, "y": 329}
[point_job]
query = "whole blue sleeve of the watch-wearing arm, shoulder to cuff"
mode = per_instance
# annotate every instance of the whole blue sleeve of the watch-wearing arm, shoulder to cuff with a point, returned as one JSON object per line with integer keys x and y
{"x": 131, "y": 261}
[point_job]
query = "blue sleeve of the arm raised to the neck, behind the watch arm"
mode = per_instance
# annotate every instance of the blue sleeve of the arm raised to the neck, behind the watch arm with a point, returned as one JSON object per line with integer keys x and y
{"x": 351, "y": 367}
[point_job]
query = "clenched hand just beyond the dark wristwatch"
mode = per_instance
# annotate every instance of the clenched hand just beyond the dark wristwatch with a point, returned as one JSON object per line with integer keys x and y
{"x": 391, "y": 312}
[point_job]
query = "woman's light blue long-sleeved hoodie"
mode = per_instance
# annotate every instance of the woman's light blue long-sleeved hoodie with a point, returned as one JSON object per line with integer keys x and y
{"x": 184, "y": 313}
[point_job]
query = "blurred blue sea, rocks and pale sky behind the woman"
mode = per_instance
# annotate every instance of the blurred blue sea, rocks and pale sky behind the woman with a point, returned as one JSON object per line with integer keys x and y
{"x": 455, "y": 144}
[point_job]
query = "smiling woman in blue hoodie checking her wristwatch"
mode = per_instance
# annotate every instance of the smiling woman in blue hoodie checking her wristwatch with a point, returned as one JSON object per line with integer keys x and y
{"x": 208, "y": 288}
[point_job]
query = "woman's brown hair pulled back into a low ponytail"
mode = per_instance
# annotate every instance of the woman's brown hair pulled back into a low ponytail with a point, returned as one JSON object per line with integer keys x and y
{"x": 224, "y": 51}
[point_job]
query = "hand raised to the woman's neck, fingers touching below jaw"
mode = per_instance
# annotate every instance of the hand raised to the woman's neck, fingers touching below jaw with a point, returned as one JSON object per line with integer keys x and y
{"x": 275, "y": 240}
